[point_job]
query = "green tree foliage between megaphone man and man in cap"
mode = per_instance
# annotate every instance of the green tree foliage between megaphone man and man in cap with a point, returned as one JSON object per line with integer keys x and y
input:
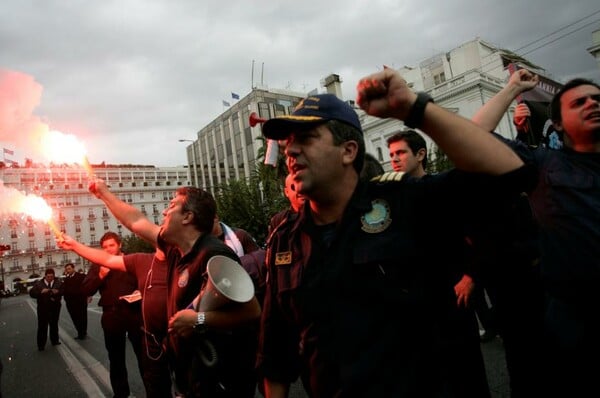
{"x": 250, "y": 204}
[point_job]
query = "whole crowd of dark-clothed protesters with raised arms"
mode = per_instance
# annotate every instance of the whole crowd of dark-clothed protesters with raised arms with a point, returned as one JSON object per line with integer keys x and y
{"x": 367, "y": 285}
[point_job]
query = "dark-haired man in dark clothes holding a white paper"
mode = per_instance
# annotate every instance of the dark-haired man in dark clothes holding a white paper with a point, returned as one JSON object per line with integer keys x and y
{"x": 121, "y": 319}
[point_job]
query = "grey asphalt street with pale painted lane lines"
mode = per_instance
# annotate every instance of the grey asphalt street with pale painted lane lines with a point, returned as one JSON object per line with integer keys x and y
{"x": 79, "y": 368}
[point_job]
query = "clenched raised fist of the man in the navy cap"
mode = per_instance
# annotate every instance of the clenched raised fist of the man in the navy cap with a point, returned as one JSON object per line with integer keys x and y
{"x": 385, "y": 94}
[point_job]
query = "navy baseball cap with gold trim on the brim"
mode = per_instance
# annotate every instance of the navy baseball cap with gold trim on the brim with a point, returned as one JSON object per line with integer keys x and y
{"x": 313, "y": 110}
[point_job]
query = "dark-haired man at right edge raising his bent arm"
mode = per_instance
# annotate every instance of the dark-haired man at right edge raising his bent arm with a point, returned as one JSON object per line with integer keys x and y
{"x": 565, "y": 203}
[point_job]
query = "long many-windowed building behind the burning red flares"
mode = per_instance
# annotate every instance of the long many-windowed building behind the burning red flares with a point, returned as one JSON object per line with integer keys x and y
{"x": 75, "y": 211}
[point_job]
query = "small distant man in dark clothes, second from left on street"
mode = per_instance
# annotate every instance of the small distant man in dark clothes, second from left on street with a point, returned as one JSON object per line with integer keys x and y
{"x": 76, "y": 300}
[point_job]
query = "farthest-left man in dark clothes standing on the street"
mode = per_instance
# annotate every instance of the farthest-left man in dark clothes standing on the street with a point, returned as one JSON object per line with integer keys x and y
{"x": 48, "y": 292}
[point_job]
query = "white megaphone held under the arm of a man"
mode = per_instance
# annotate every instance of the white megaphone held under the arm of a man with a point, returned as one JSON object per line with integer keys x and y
{"x": 227, "y": 282}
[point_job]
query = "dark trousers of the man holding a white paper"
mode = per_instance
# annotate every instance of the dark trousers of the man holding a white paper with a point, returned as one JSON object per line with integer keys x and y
{"x": 120, "y": 323}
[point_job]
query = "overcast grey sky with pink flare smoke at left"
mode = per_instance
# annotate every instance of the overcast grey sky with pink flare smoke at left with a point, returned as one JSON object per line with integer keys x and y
{"x": 130, "y": 78}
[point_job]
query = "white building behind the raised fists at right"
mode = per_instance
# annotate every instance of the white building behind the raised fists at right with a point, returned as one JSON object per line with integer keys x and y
{"x": 460, "y": 80}
